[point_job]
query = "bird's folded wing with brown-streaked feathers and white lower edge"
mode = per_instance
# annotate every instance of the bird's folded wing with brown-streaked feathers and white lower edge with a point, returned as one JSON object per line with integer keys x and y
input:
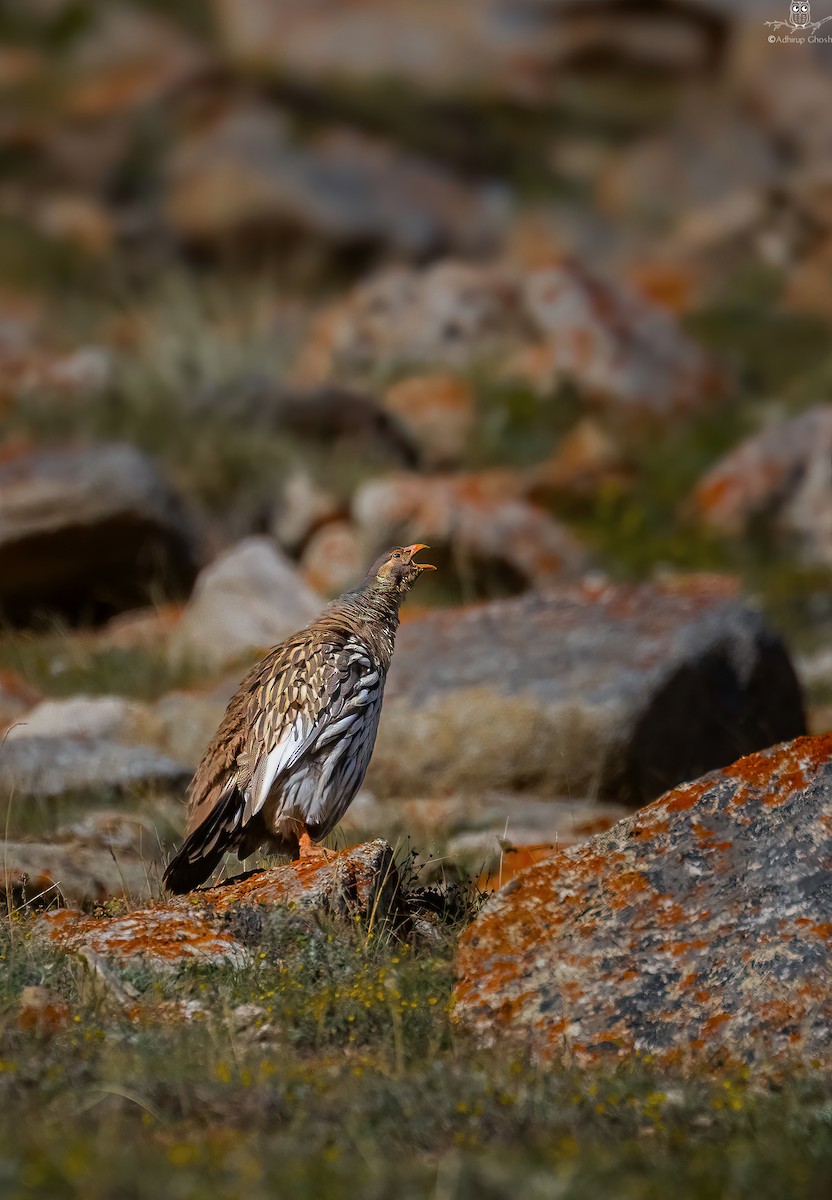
{"x": 308, "y": 699}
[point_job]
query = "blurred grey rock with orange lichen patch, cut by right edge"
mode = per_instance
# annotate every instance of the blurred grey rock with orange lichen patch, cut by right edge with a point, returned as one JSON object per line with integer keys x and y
{"x": 781, "y": 478}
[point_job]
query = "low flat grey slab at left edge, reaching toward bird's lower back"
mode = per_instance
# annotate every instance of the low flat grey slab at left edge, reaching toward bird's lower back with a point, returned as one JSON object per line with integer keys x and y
{"x": 49, "y": 769}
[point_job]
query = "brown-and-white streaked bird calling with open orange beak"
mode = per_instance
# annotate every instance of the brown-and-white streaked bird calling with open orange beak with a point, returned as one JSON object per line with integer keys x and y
{"x": 297, "y": 739}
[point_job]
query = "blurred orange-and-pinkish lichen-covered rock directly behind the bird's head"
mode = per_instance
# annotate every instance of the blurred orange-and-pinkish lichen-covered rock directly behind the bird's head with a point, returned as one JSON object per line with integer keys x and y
{"x": 481, "y": 521}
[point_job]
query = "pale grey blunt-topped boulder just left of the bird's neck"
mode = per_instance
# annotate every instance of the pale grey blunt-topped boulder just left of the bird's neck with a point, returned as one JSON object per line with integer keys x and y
{"x": 250, "y": 598}
